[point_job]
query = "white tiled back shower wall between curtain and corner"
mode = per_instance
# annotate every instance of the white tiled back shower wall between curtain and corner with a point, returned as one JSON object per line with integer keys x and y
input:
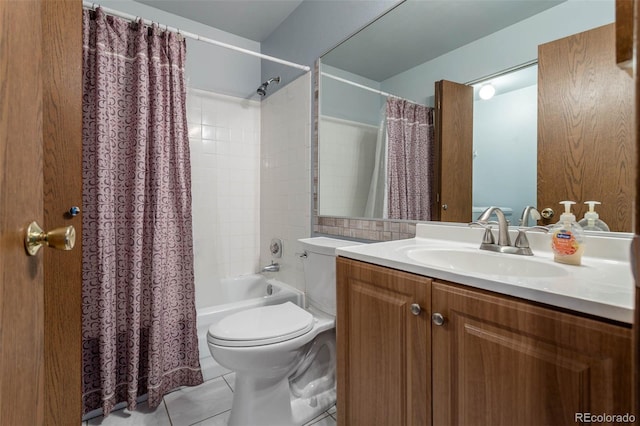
{"x": 224, "y": 135}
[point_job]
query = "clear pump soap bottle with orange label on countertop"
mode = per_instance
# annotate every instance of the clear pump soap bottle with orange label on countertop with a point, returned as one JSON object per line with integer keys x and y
{"x": 567, "y": 237}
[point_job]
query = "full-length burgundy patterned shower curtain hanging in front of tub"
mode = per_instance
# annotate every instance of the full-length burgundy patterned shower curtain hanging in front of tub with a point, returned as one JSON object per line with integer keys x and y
{"x": 139, "y": 318}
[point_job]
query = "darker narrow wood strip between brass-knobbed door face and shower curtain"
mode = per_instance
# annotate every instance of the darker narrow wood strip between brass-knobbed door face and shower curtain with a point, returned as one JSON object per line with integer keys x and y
{"x": 62, "y": 140}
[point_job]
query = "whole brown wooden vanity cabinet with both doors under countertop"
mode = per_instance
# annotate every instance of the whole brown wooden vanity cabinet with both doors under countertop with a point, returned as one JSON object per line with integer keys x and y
{"x": 495, "y": 360}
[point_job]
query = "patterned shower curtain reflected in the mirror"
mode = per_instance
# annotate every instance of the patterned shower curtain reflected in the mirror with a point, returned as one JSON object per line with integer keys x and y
{"x": 410, "y": 163}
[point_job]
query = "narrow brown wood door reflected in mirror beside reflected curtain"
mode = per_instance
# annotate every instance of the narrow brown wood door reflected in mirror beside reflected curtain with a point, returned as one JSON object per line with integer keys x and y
{"x": 454, "y": 152}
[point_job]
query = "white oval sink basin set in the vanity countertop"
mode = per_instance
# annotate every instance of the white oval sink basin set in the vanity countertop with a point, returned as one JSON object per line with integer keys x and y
{"x": 486, "y": 263}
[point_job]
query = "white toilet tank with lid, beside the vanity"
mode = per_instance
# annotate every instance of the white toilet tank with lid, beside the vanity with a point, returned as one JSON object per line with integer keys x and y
{"x": 320, "y": 271}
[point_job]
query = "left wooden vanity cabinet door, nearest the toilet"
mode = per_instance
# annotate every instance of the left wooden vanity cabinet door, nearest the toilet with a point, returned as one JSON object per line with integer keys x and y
{"x": 383, "y": 357}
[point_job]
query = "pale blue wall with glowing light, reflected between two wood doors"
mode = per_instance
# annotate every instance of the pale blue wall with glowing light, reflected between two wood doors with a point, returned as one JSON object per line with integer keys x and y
{"x": 505, "y": 141}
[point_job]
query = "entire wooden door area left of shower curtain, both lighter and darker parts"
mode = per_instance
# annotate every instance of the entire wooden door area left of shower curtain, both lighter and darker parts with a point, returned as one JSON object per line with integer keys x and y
{"x": 40, "y": 104}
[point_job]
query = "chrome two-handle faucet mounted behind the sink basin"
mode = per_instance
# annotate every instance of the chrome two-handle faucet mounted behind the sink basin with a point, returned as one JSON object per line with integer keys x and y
{"x": 521, "y": 245}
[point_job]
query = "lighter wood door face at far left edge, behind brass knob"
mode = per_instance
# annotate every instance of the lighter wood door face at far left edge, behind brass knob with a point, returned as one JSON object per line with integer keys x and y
{"x": 21, "y": 302}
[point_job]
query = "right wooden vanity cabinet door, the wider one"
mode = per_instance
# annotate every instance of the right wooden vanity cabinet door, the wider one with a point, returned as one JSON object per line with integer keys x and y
{"x": 500, "y": 361}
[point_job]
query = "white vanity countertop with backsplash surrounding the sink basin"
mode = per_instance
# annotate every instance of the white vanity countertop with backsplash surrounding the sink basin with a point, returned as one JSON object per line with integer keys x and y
{"x": 602, "y": 286}
